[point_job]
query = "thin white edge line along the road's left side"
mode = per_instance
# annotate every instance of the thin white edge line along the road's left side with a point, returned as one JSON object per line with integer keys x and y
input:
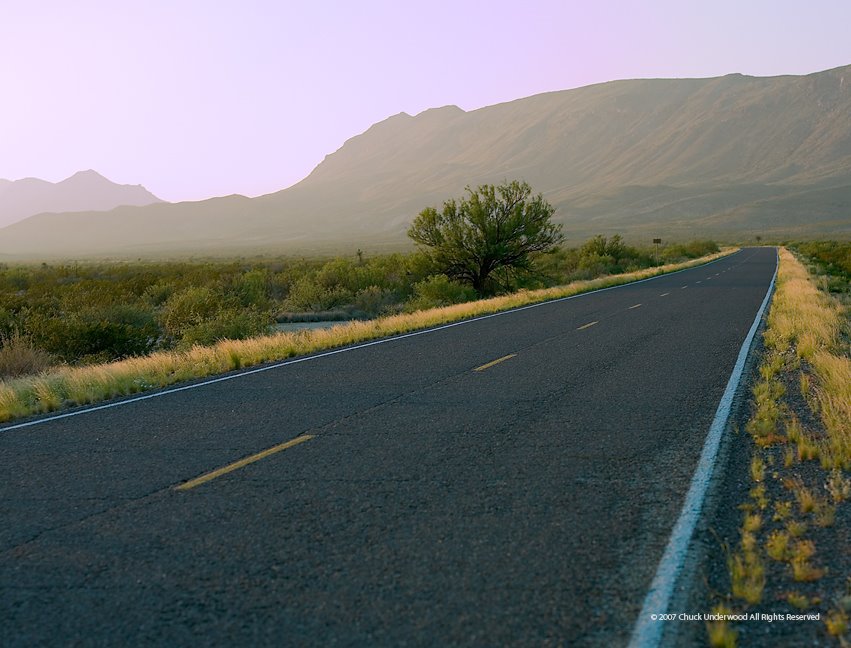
{"x": 277, "y": 365}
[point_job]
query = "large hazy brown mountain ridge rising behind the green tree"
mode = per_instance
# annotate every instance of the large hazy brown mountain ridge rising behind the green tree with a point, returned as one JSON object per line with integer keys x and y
{"x": 726, "y": 157}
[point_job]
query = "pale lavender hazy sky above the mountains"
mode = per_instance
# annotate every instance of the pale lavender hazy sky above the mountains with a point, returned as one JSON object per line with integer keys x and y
{"x": 201, "y": 98}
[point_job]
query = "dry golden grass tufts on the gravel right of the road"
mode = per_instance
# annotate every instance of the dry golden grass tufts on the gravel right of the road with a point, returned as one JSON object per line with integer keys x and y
{"x": 802, "y": 335}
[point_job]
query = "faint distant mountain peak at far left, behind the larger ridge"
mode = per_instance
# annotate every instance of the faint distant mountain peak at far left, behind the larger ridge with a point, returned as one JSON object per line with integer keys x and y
{"x": 83, "y": 191}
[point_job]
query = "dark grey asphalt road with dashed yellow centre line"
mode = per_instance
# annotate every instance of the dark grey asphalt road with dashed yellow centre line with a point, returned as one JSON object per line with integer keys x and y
{"x": 527, "y": 503}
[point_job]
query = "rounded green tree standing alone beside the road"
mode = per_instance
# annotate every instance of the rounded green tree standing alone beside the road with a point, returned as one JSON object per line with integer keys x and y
{"x": 494, "y": 228}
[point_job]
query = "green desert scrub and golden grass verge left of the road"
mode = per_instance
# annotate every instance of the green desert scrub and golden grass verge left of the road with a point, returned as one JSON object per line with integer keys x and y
{"x": 75, "y": 334}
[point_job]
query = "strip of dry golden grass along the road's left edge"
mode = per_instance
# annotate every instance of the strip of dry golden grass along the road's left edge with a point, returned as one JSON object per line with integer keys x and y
{"x": 69, "y": 386}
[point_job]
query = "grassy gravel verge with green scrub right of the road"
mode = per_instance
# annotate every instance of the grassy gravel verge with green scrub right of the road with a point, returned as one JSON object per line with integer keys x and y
{"x": 792, "y": 554}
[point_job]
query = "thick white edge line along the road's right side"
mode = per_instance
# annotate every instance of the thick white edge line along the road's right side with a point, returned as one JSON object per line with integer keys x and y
{"x": 647, "y": 633}
